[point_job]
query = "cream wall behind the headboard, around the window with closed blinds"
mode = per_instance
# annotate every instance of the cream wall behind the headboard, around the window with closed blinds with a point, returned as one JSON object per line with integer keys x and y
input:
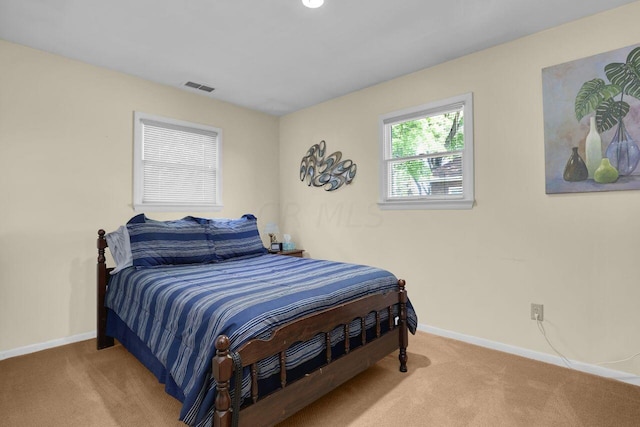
{"x": 66, "y": 134}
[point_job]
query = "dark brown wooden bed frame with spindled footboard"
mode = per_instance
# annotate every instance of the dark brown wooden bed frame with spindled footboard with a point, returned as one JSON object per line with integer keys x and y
{"x": 291, "y": 397}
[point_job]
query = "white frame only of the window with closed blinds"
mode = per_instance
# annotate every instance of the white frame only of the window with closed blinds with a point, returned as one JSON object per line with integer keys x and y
{"x": 138, "y": 167}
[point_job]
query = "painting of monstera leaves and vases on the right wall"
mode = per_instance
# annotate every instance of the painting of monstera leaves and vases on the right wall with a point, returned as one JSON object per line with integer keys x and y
{"x": 605, "y": 88}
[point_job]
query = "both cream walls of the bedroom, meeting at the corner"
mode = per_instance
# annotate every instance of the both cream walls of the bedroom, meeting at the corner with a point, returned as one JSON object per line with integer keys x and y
{"x": 65, "y": 163}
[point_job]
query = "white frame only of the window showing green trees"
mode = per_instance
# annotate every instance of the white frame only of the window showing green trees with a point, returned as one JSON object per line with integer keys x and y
{"x": 466, "y": 200}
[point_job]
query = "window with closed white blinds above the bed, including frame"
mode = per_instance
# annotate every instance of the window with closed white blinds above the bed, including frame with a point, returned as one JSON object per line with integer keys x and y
{"x": 176, "y": 165}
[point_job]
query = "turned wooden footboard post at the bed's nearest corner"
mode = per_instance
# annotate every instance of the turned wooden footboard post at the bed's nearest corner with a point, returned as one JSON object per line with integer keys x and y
{"x": 222, "y": 372}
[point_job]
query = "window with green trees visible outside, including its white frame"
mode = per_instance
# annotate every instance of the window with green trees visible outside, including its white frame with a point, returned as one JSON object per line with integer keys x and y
{"x": 427, "y": 156}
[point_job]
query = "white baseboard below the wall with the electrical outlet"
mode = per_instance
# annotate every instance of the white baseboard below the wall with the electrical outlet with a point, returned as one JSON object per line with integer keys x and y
{"x": 535, "y": 355}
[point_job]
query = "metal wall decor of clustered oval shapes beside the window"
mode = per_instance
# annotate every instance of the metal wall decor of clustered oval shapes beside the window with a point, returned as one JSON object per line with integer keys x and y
{"x": 329, "y": 172}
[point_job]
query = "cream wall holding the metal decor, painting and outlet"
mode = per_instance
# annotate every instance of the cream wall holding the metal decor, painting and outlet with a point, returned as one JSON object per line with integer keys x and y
{"x": 476, "y": 271}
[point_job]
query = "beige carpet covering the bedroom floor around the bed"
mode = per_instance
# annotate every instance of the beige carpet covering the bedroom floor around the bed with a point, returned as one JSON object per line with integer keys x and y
{"x": 449, "y": 383}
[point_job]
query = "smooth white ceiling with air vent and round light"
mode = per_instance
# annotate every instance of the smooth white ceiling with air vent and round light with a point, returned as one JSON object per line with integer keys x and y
{"x": 278, "y": 56}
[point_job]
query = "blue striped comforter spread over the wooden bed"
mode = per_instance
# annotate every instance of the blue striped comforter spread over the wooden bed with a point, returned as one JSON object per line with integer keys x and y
{"x": 178, "y": 311}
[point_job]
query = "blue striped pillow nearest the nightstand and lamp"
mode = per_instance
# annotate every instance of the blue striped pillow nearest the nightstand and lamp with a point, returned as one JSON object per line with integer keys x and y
{"x": 234, "y": 238}
